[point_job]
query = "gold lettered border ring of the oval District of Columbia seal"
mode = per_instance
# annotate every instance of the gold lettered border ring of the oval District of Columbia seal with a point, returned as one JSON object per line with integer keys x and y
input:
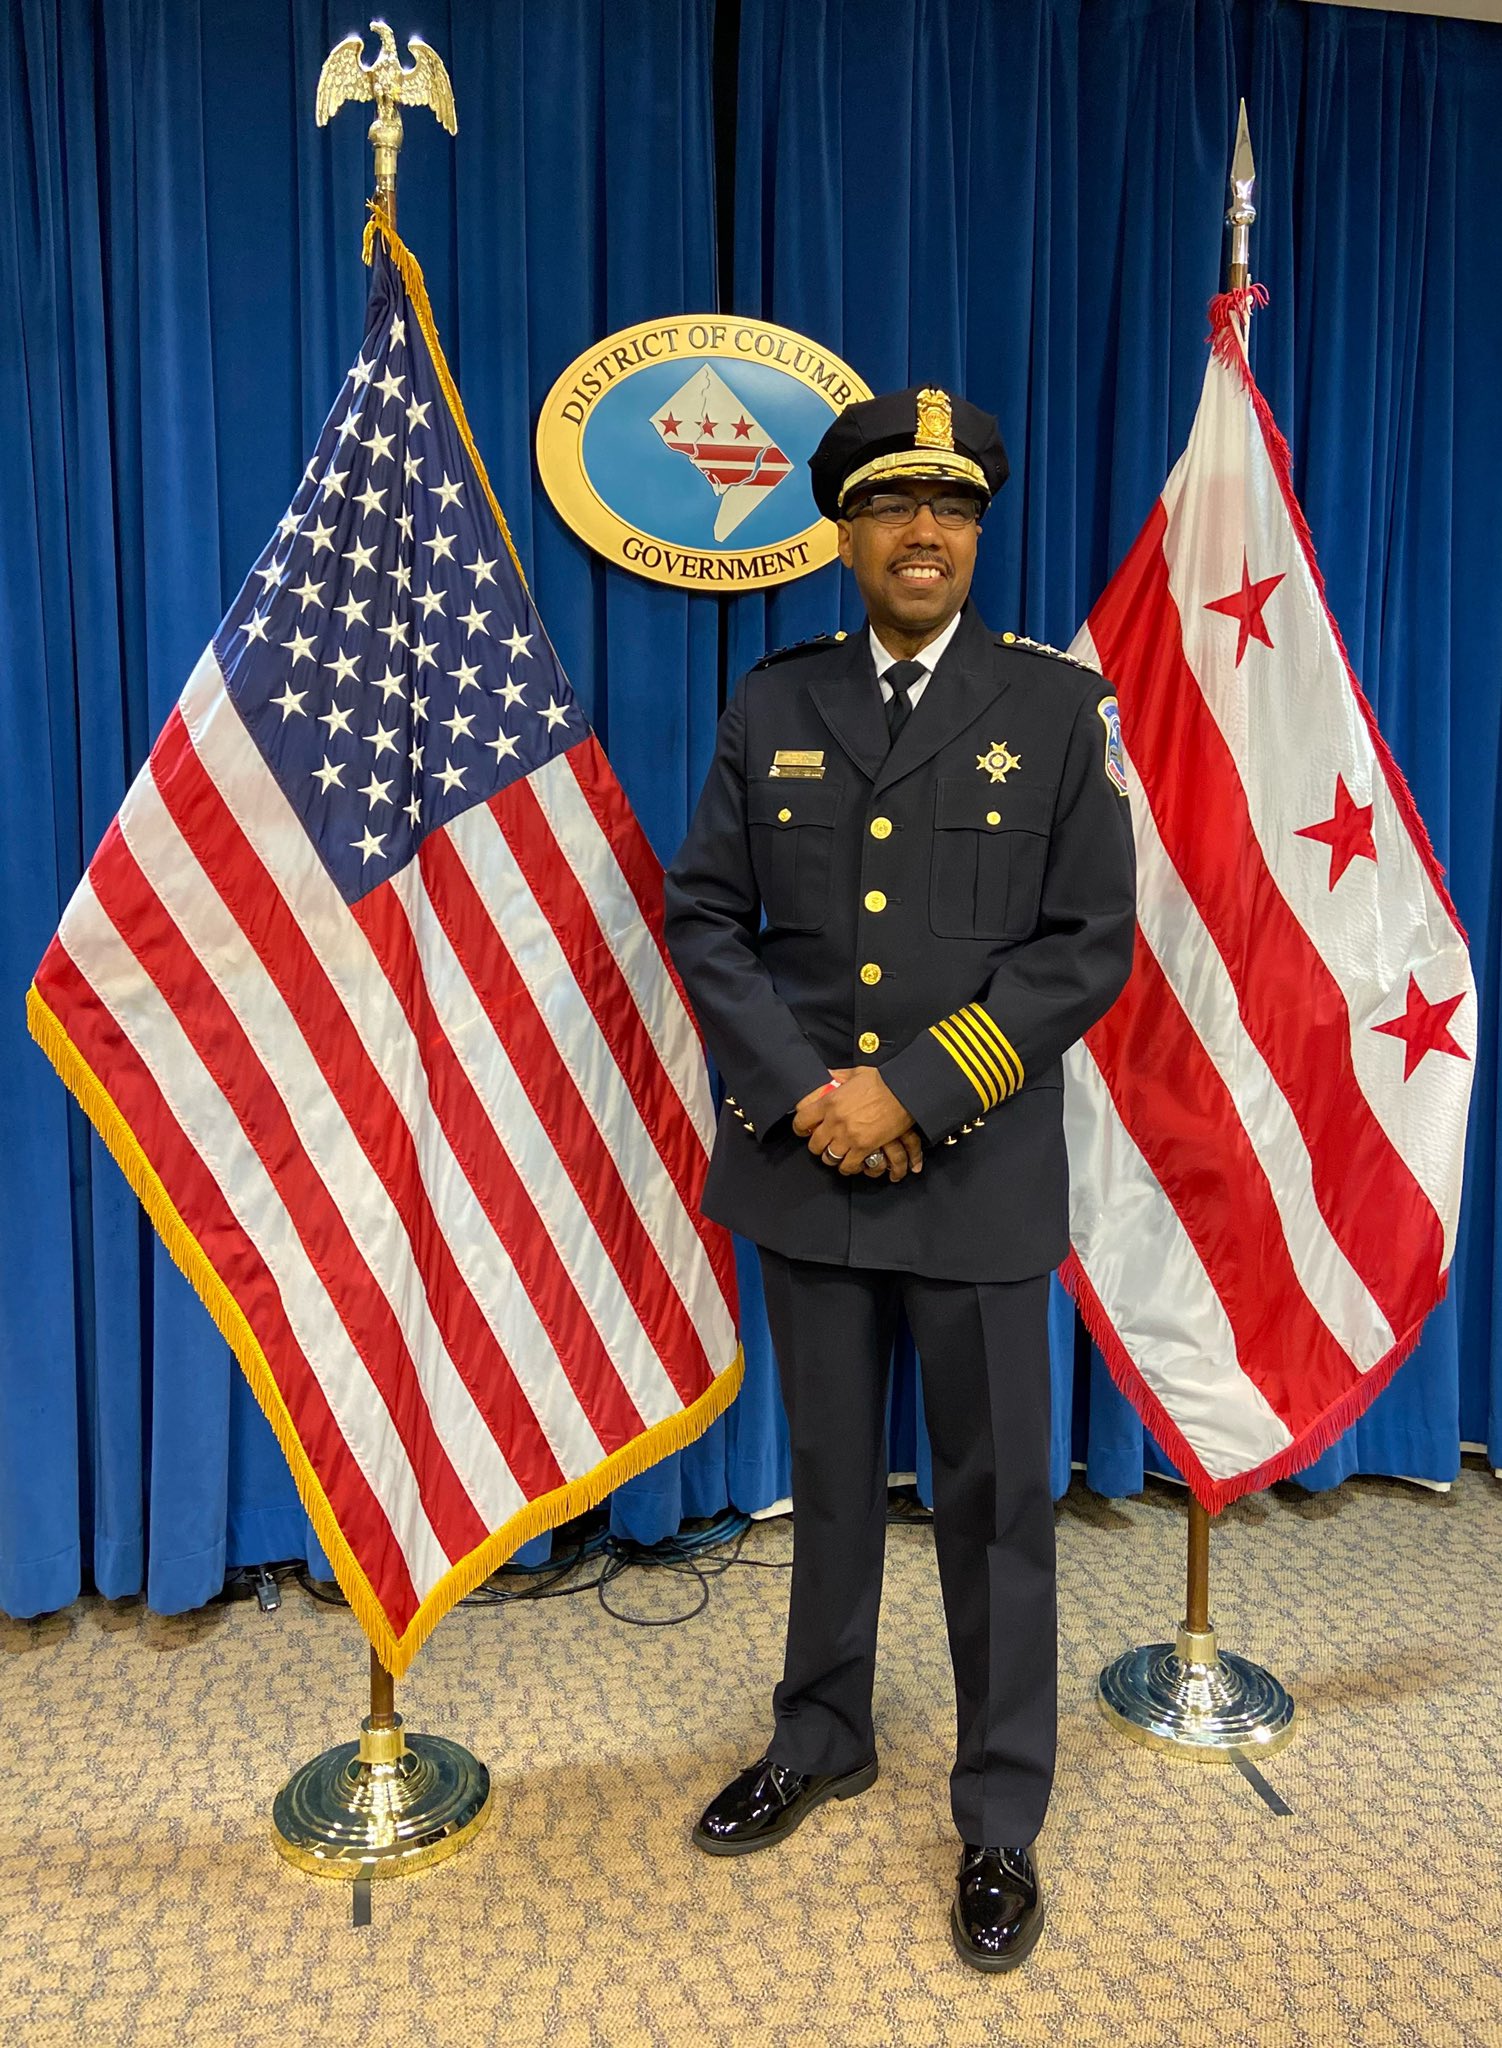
{"x": 560, "y": 458}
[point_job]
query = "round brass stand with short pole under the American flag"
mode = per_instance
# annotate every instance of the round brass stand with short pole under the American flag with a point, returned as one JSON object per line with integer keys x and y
{"x": 386, "y": 1805}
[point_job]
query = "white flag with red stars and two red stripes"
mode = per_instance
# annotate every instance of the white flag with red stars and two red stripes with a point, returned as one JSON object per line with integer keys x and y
{"x": 1267, "y": 1129}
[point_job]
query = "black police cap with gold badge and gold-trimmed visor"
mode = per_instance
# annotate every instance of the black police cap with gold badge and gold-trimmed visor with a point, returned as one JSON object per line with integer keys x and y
{"x": 909, "y": 437}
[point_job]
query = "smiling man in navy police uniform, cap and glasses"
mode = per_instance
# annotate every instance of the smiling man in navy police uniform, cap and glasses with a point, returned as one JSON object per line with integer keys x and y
{"x": 907, "y": 892}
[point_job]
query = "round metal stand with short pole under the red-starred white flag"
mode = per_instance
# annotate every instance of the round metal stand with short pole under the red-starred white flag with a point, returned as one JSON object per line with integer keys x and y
{"x": 1192, "y": 1697}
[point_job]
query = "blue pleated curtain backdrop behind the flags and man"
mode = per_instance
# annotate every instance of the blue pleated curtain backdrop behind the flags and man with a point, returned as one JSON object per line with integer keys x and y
{"x": 1017, "y": 200}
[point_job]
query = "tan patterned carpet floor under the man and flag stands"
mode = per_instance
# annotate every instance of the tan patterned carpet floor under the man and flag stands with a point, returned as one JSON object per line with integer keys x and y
{"x": 147, "y": 1906}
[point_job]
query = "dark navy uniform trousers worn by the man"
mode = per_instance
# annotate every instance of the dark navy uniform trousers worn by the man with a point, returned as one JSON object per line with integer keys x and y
{"x": 987, "y": 1400}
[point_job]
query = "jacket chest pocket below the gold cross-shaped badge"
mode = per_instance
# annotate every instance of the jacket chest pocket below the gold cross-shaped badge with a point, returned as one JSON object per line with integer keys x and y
{"x": 991, "y": 849}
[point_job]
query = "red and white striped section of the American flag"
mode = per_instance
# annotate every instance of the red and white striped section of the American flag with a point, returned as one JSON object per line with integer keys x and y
{"x": 444, "y": 1148}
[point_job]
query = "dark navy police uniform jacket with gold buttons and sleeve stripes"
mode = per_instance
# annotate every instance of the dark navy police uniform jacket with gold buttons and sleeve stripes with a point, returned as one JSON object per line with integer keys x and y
{"x": 956, "y": 908}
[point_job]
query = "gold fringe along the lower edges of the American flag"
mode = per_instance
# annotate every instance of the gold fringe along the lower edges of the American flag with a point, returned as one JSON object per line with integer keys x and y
{"x": 534, "y": 1521}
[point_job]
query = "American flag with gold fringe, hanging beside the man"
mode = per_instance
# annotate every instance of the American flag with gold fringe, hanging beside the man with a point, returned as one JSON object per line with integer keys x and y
{"x": 366, "y": 990}
